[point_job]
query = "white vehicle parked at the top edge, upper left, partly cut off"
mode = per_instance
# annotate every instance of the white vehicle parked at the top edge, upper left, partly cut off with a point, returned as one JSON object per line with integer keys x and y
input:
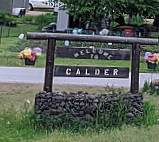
{"x": 42, "y": 4}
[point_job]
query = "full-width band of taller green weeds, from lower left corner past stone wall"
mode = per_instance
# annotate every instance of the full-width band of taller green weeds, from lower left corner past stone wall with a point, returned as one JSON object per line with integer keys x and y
{"x": 25, "y": 125}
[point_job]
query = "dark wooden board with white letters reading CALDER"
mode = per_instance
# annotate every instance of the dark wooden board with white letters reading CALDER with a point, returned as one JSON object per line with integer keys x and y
{"x": 85, "y": 71}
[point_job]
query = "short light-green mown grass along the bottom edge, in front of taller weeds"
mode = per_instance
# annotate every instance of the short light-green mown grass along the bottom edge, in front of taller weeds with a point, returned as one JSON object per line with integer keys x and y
{"x": 125, "y": 134}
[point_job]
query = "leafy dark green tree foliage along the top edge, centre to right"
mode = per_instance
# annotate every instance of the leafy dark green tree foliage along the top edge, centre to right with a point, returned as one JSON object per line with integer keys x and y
{"x": 96, "y": 10}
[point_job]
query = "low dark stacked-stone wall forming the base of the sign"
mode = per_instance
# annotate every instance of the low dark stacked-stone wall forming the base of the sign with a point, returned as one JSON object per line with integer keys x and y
{"x": 84, "y": 106}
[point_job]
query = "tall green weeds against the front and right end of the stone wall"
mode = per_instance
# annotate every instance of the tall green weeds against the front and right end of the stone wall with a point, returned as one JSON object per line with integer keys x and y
{"x": 107, "y": 121}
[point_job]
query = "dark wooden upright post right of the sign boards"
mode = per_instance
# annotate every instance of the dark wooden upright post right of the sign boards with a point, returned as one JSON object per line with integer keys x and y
{"x": 135, "y": 68}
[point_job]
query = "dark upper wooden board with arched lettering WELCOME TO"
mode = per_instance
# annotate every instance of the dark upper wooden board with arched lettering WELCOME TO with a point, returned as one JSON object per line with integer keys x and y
{"x": 93, "y": 53}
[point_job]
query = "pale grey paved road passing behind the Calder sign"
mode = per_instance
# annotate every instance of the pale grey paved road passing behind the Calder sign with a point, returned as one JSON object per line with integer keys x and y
{"x": 36, "y": 76}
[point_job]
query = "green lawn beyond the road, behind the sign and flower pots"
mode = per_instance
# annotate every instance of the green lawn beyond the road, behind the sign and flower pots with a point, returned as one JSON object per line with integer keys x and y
{"x": 12, "y": 45}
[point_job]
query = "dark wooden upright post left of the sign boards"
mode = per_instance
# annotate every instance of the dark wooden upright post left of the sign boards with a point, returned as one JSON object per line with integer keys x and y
{"x": 49, "y": 65}
